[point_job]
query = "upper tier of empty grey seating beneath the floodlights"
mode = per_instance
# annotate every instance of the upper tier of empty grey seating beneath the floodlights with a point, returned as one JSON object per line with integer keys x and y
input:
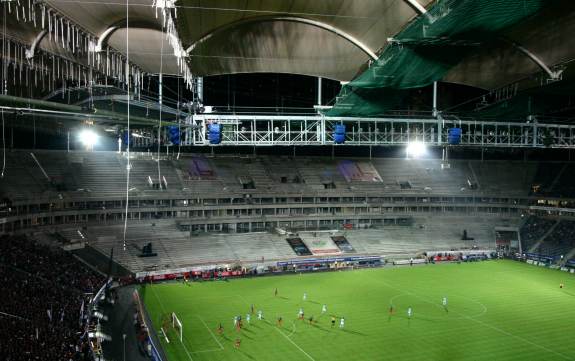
{"x": 102, "y": 174}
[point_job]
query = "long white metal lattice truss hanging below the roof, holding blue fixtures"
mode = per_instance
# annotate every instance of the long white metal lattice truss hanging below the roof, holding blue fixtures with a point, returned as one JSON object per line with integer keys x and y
{"x": 279, "y": 130}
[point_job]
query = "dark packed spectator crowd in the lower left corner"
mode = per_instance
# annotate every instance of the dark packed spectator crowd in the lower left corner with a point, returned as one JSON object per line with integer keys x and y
{"x": 45, "y": 291}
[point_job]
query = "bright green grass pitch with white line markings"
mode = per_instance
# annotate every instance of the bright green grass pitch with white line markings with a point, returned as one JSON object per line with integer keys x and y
{"x": 497, "y": 310}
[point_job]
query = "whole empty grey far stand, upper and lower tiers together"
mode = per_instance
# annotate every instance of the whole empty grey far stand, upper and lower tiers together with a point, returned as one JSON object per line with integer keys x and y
{"x": 195, "y": 209}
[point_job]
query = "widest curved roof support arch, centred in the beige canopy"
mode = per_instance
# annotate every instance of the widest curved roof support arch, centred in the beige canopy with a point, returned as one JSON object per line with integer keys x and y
{"x": 350, "y": 38}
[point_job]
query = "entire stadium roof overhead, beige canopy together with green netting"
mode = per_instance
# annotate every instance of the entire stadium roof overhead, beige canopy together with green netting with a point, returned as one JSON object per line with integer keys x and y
{"x": 481, "y": 43}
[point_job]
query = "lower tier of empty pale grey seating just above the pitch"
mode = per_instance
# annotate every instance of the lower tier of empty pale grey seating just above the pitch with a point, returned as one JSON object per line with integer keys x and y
{"x": 176, "y": 248}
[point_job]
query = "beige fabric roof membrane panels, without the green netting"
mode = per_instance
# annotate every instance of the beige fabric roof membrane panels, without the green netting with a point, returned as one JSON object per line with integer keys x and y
{"x": 327, "y": 38}
